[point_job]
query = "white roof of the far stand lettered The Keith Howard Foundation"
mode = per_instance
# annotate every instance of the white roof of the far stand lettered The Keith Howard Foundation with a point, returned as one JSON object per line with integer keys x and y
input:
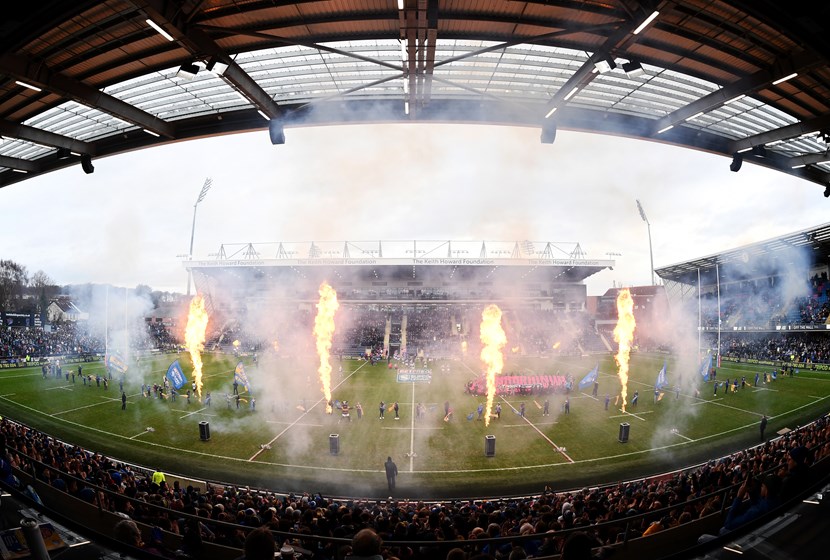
{"x": 421, "y": 262}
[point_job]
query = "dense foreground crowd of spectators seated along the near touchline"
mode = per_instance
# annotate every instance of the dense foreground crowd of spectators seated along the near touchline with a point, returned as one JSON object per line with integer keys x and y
{"x": 224, "y": 514}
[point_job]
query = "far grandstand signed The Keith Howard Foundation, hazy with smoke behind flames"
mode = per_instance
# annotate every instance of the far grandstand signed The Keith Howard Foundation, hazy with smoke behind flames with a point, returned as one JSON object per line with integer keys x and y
{"x": 399, "y": 282}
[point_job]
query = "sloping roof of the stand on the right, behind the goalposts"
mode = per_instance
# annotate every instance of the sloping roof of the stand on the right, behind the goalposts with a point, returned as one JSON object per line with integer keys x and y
{"x": 768, "y": 257}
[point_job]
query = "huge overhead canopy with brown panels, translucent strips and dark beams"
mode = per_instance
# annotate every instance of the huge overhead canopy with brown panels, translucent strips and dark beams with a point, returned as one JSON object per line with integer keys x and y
{"x": 83, "y": 79}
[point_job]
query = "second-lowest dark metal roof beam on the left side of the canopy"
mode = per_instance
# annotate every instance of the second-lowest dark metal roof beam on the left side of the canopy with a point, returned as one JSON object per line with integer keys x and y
{"x": 38, "y": 74}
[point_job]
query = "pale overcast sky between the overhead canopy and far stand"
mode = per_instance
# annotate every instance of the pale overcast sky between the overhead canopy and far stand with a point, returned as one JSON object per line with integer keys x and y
{"x": 126, "y": 223}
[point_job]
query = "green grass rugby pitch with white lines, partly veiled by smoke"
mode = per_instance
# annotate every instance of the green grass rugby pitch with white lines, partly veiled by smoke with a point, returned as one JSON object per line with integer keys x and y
{"x": 284, "y": 443}
